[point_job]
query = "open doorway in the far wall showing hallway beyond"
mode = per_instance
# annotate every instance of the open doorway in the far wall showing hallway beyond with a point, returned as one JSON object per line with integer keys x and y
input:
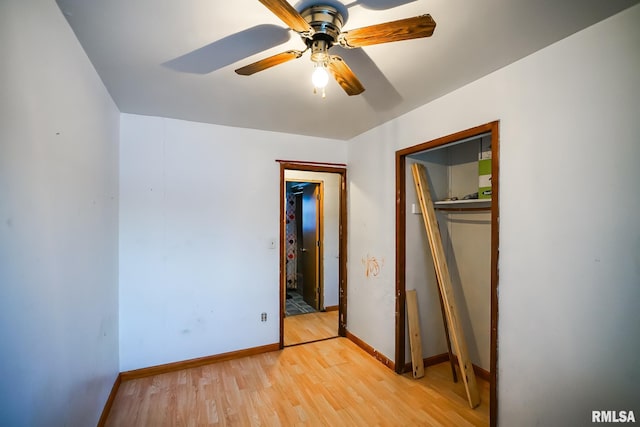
{"x": 313, "y": 255}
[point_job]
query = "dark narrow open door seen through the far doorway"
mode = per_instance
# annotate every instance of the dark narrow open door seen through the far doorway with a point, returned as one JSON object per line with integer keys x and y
{"x": 310, "y": 245}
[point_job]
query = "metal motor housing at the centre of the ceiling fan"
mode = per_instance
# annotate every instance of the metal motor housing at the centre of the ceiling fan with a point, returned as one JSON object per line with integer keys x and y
{"x": 327, "y": 22}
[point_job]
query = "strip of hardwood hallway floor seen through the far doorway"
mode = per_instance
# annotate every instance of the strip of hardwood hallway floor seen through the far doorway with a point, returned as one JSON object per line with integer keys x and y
{"x": 309, "y": 327}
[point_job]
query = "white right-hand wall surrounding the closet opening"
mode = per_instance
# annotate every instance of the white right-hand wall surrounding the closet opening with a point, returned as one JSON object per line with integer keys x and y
{"x": 569, "y": 230}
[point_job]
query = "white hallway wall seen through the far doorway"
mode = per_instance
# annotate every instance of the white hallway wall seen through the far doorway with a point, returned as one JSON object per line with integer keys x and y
{"x": 330, "y": 232}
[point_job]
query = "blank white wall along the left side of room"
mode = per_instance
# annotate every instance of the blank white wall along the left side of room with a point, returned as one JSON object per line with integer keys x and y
{"x": 58, "y": 224}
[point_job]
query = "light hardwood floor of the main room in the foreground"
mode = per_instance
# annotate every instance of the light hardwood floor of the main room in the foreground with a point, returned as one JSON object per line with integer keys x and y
{"x": 326, "y": 383}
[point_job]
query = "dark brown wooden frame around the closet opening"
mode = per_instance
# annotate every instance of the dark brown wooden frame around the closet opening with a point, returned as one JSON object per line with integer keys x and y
{"x": 401, "y": 157}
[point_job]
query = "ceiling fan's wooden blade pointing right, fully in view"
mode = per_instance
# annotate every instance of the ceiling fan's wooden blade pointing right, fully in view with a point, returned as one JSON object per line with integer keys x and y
{"x": 404, "y": 29}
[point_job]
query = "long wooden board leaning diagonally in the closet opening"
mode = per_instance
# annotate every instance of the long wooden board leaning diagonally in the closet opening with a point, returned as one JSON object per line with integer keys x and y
{"x": 444, "y": 282}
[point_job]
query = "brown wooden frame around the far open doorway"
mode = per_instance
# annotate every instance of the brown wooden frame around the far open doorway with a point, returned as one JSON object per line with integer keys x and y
{"x": 342, "y": 236}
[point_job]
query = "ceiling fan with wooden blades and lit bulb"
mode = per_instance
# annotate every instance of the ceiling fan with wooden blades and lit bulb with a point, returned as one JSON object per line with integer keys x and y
{"x": 320, "y": 27}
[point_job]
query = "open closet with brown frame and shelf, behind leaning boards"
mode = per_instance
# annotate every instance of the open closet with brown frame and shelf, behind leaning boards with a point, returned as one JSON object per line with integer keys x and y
{"x": 463, "y": 174}
